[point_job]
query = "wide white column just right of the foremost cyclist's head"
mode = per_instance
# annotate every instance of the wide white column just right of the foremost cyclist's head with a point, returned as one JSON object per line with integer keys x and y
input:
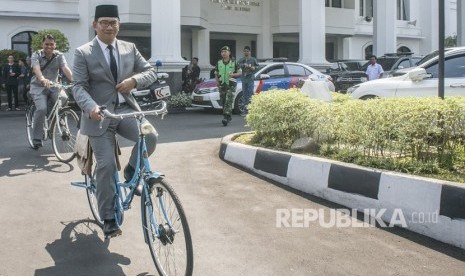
{"x": 166, "y": 34}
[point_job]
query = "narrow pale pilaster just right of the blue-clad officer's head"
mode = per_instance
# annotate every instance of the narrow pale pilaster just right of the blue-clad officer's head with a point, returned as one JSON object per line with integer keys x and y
{"x": 265, "y": 39}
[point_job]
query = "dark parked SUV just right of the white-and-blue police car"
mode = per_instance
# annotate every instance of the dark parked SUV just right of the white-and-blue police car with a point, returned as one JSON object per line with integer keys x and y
{"x": 346, "y": 73}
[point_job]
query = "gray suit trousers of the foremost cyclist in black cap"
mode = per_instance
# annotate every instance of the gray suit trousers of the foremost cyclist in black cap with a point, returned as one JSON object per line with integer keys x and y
{"x": 104, "y": 152}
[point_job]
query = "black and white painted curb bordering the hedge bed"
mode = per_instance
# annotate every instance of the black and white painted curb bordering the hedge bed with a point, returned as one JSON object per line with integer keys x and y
{"x": 362, "y": 188}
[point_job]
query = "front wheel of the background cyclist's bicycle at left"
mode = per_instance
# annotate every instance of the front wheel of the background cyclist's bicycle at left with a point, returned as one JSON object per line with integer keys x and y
{"x": 64, "y": 133}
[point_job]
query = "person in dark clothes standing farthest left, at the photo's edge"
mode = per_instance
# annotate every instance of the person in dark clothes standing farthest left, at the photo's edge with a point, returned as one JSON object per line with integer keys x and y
{"x": 11, "y": 72}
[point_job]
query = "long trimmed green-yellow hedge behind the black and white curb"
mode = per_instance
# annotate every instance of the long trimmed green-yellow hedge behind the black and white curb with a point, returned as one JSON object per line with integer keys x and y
{"x": 424, "y": 135}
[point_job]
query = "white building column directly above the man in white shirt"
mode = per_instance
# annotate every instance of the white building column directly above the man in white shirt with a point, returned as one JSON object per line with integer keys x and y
{"x": 384, "y": 27}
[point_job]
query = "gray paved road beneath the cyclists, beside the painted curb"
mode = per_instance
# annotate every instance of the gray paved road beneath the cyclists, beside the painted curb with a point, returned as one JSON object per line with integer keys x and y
{"x": 46, "y": 230}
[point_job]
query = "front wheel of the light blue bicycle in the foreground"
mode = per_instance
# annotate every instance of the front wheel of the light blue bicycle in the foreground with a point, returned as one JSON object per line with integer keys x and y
{"x": 166, "y": 230}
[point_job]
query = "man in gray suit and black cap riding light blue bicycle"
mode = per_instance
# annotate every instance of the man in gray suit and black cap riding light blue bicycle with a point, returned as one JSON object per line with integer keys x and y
{"x": 105, "y": 71}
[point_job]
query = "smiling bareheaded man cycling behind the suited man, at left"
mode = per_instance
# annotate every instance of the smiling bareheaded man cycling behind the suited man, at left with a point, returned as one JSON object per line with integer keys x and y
{"x": 46, "y": 64}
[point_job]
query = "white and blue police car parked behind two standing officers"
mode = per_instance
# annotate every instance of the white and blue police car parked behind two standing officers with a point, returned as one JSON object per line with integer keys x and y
{"x": 274, "y": 75}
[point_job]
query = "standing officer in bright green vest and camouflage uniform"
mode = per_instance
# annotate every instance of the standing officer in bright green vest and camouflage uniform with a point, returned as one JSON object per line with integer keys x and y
{"x": 226, "y": 70}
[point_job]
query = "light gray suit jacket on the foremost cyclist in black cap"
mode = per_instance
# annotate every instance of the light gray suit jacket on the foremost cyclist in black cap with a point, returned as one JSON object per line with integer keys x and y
{"x": 94, "y": 83}
